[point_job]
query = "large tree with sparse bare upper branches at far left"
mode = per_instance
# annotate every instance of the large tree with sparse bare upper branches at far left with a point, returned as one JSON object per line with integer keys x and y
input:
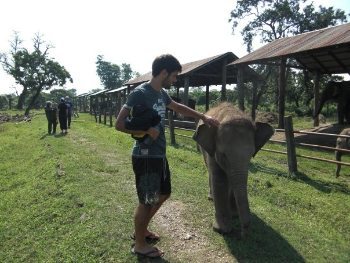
{"x": 34, "y": 71}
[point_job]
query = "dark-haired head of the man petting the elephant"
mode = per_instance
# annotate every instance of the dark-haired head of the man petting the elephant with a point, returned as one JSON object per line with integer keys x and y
{"x": 166, "y": 67}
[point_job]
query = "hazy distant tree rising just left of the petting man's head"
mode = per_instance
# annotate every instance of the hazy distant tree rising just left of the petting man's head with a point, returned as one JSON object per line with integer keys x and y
{"x": 111, "y": 75}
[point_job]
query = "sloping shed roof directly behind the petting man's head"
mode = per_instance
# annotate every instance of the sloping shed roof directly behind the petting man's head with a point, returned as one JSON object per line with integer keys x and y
{"x": 202, "y": 72}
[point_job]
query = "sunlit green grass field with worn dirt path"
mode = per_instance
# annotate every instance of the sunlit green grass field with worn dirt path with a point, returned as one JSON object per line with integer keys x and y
{"x": 71, "y": 199}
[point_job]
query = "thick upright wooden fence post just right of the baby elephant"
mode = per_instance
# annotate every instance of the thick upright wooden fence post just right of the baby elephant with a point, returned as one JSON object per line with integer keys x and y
{"x": 292, "y": 159}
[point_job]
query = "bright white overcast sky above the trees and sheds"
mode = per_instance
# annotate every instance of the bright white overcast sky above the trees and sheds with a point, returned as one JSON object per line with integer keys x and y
{"x": 123, "y": 31}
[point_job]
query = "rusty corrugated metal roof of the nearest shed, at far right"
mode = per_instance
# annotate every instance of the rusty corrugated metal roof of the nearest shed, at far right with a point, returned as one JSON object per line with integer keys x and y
{"x": 326, "y": 50}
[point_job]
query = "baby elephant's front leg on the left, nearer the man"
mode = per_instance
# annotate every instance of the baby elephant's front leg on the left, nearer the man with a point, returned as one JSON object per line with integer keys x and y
{"x": 220, "y": 191}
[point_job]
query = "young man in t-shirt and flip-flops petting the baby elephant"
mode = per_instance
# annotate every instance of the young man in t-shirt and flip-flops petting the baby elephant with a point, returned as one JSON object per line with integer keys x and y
{"x": 149, "y": 160}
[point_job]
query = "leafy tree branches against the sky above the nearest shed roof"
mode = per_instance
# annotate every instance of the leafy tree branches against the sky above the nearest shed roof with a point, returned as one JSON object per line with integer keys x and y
{"x": 274, "y": 19}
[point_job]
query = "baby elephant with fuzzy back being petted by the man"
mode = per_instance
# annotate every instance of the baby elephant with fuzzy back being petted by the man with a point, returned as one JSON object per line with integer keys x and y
{"x": 227, "y": 150}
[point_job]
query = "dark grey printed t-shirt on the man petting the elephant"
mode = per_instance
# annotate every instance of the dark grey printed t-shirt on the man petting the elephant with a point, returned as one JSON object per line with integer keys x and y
{"x": 157, "y": 100}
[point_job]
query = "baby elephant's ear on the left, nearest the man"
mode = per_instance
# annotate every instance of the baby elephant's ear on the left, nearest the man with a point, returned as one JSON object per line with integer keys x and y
{"x": 205, "y": 137}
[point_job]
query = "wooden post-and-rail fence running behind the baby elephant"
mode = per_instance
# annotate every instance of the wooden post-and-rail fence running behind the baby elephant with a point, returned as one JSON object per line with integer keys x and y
{"x": 289, "y": 141}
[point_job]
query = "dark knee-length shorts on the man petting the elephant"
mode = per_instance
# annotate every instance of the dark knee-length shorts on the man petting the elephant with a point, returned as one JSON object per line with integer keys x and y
{"x": 152, "y": 177}
